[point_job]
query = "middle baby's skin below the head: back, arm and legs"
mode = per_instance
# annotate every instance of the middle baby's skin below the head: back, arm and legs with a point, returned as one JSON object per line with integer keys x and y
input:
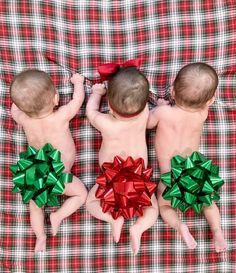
{"x": 124, "y": 137}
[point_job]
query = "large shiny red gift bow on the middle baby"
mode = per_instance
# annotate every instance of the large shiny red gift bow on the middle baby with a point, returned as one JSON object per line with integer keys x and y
{"x": 125, "y": 187}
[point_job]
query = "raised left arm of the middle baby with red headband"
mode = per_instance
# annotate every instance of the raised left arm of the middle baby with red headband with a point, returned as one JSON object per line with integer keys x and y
{"x": 95, "y": 117}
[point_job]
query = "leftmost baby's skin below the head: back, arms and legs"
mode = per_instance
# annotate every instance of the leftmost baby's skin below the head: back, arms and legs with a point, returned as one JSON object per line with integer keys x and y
{"x": 53, "y": 127}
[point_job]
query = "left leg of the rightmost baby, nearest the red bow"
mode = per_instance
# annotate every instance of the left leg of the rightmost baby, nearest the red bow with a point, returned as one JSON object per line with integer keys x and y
{"x": 170, "y": 216}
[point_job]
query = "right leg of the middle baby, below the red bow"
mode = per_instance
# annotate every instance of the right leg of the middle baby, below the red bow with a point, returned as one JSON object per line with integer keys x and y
{"x": 143, "y": 223}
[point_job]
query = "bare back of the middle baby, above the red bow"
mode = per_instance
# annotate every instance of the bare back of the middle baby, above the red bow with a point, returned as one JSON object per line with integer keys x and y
{"x": 124, "y": 137}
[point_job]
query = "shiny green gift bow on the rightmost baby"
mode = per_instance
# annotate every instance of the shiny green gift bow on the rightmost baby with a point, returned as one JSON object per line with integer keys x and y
{"x": 192, "y": 182}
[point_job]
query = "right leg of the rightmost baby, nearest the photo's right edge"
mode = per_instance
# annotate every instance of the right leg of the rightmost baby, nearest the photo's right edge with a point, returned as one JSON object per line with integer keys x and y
{"x": 213, "y": 218}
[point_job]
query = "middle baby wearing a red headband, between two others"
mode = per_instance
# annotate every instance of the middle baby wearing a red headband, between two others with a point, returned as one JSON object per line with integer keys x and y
{"x": 123, "y": 134}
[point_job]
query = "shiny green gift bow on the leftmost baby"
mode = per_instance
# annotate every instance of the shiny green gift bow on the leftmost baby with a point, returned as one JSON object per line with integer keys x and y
{"x": 38, "y": 175}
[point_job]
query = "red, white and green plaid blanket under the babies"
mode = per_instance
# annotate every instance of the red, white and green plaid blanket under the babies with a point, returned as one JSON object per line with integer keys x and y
{"x": 61, "y": 37}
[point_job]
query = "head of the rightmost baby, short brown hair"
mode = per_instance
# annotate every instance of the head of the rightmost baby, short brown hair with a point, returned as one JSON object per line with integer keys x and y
{"x": 195, "y": 86}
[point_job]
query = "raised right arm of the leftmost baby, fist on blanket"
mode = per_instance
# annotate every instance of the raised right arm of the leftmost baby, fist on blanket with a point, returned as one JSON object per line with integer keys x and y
{"x": 72, "y": 108}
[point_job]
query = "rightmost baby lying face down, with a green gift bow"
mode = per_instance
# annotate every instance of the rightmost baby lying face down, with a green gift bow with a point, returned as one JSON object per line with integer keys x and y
{"x": 178, "y": 132}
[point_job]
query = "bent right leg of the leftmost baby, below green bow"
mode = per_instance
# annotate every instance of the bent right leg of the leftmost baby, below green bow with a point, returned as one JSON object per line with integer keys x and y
{"x": 78, "y": 193}
